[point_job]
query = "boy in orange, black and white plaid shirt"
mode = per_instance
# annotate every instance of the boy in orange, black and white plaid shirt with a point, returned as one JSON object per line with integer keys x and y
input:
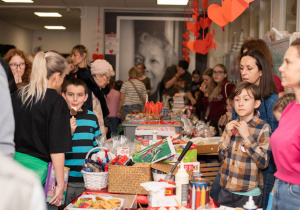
{"x": 245, "y": 150}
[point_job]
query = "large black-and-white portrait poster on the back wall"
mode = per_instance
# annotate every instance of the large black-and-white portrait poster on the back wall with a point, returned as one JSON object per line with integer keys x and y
{"x": 154, "y": 41}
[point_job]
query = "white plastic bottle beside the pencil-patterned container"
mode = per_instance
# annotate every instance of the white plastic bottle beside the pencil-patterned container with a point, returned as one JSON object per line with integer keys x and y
{"x": 182, "y": 185}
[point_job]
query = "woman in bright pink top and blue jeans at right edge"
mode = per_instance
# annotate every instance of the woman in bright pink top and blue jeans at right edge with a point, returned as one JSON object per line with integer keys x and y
{"x": 285, "y": 141}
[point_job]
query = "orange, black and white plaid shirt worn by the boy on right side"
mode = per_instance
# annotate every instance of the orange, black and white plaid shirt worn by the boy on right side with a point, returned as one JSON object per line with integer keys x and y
{"x": 244, "y": 158}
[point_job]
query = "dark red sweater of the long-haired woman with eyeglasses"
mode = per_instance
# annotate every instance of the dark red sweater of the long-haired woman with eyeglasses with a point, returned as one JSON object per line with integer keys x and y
{"x": 218, "y": 104}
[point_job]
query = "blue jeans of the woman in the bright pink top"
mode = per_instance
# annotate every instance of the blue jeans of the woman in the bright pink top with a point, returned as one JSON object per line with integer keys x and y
{"x": 286, "y": 196}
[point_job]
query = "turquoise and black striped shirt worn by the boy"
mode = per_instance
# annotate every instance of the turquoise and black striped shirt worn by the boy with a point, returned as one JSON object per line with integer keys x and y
{"x": 82, "y": 142}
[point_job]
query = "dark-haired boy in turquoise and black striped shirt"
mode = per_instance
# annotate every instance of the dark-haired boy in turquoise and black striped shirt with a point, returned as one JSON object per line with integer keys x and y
{"x": 84, "y": 129}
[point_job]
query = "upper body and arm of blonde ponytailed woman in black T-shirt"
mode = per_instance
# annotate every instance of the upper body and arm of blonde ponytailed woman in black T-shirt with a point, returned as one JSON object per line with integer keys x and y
{"x": 42, "y": 123}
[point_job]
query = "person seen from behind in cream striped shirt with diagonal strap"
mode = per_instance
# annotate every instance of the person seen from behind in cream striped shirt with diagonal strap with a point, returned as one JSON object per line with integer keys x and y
{"x": 132, "y": 96}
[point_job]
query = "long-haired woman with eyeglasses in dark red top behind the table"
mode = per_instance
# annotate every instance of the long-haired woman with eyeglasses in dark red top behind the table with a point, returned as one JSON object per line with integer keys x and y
{"x": 215, "y": 103}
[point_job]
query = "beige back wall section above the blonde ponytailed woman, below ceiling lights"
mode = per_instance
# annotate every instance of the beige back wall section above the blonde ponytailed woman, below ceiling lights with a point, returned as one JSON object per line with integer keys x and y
{"x": 61, "y": 41}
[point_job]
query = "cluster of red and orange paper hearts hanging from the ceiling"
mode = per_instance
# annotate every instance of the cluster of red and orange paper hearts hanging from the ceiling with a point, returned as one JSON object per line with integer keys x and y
{"x": 221, "y": 15}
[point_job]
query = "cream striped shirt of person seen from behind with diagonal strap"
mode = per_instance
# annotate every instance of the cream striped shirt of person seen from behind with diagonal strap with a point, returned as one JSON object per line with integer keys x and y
{"x": 131, "y": 96}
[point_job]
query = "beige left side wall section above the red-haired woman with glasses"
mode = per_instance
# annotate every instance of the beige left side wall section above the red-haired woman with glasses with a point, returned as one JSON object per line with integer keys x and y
{"x": 17, "y": 36}
